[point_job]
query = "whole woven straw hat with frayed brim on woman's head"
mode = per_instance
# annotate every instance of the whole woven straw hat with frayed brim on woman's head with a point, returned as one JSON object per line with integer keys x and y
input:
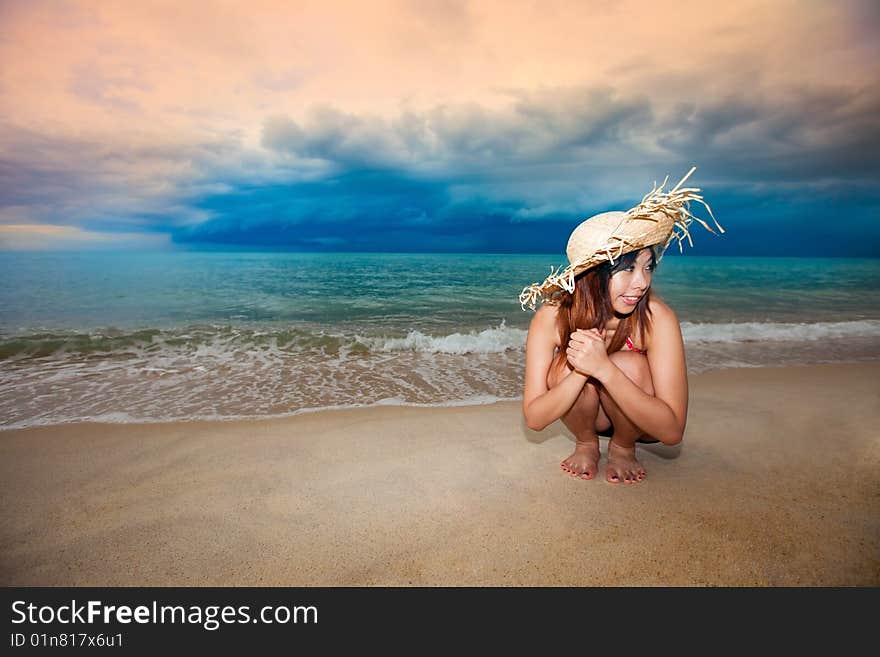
{"x": 660, "y": 218}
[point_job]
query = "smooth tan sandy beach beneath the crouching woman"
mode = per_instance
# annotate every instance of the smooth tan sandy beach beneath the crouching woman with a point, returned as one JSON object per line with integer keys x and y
{"x": 776, "y": 483}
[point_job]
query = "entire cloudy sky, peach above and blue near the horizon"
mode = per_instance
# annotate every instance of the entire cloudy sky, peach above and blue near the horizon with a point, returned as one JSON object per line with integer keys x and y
{"x": 438, "y": 125}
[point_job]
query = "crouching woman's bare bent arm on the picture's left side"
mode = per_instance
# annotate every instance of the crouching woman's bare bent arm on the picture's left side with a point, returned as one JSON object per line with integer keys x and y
{"x": 540, "y": 406}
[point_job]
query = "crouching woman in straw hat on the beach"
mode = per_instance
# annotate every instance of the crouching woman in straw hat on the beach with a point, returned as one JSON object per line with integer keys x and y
{"x": 601, "y": 353}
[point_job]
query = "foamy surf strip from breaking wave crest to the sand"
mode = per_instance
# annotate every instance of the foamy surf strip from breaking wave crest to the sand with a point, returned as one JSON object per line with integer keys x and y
{"x": 222, "y": 372}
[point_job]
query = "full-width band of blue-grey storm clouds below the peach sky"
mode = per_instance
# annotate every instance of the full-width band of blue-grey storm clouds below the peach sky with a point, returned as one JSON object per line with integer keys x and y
{"x": 795, "y": 170}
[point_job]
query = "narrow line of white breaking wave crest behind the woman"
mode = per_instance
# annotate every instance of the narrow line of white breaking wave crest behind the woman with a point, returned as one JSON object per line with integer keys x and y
{"x": 225, "y": 341}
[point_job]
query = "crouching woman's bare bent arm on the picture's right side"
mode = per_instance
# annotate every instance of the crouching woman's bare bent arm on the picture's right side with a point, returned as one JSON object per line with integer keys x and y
{"x": 662, "y": 416}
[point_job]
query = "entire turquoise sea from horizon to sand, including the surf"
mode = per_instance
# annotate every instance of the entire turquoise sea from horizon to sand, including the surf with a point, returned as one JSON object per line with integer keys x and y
{"x": 144, "y": 337}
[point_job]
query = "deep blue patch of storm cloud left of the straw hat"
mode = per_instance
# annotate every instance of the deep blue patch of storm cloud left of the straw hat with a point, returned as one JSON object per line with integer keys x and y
{"x": 366, "y": 210}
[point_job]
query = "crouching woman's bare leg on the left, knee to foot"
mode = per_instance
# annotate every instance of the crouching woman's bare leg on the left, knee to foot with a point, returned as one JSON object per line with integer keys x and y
{"x": 583, "y": 419}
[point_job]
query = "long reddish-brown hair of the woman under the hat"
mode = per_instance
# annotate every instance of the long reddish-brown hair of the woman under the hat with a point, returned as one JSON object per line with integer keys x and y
{"x": 589, "y": 307}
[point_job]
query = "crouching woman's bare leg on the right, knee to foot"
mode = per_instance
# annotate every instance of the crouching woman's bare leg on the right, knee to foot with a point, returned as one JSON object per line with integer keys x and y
{"x": 622, "y": 463}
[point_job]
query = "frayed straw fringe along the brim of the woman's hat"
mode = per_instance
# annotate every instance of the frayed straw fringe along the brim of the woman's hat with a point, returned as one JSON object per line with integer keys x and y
{"x": 675, "y": 204}
